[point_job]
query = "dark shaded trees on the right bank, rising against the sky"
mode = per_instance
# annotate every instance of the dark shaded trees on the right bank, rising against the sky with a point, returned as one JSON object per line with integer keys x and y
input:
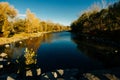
{"x": 97, "y": 21}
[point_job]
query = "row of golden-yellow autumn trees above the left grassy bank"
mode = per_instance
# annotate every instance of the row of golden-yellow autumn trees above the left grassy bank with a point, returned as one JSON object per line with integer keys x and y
{"x": 10, "y": 23}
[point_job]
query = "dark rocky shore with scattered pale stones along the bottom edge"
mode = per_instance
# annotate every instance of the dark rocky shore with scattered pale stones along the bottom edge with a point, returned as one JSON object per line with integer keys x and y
{"x": 68, "y": 74}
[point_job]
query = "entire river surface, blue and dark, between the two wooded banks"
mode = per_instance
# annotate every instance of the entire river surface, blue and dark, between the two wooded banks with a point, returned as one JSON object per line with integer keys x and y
{"x": 59, "y": 51}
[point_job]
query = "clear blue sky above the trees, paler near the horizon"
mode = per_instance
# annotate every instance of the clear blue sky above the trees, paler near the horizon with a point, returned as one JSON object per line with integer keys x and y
{"x": 58, "y": 11}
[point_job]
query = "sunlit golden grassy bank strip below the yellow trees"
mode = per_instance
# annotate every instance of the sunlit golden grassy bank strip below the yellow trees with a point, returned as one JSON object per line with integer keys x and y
{"x": 19, "y": 37}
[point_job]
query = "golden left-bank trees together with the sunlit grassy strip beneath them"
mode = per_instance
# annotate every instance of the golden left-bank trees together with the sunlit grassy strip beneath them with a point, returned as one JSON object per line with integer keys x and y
{"x": 13, "y": 28}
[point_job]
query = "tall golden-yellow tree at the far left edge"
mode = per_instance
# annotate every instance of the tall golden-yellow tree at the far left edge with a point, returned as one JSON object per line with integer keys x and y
{"x": 6, "y": 12}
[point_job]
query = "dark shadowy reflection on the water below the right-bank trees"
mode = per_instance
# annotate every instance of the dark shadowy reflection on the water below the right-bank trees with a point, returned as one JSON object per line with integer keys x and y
{"x": 102, "y": 50}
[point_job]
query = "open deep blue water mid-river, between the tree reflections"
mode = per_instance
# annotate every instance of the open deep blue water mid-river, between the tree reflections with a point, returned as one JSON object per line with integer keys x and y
{"x": 62, "y": 52}
